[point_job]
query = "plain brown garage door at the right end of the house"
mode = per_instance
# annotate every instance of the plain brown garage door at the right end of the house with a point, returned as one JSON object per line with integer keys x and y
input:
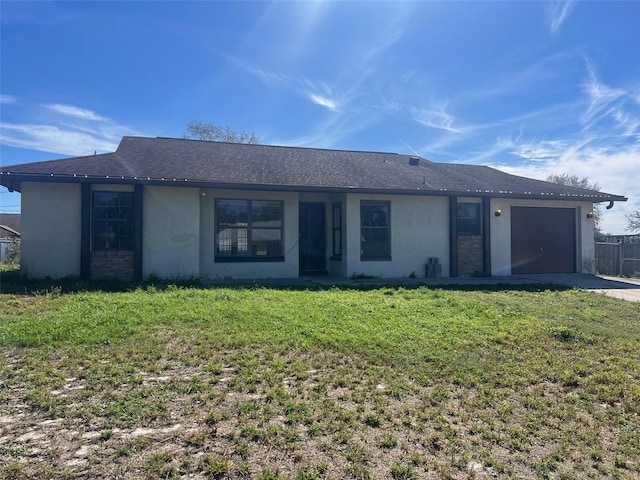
{"x": 543, "y": 240}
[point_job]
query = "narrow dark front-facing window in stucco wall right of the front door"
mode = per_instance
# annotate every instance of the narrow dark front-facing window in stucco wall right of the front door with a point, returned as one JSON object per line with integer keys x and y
{"x": 374, "y": 230}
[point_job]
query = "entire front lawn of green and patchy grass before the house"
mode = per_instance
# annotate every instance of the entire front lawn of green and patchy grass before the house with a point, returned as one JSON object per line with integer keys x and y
{"x": 329, "y": 383}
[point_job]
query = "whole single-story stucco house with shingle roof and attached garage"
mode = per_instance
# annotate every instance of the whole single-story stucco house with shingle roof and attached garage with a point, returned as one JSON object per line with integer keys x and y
{"x": 180, "y": 208}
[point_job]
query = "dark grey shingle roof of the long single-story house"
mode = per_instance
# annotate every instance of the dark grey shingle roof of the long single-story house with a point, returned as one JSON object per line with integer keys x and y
{"x": 219, "y": 164}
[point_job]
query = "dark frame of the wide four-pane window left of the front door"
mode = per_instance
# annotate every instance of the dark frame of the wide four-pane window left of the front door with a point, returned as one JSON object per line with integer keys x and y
{"x": 249, "y": 229}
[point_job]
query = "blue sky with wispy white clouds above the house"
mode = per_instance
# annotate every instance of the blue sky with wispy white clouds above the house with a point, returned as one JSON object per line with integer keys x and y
{"x": 532, "y": 88}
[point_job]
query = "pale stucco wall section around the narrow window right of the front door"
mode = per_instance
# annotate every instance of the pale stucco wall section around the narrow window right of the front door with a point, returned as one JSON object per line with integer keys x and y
{"x": 419, "y": 230}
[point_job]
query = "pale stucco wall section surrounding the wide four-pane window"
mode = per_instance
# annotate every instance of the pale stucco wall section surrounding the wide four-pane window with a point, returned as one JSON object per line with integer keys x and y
{"x": 212, "y": 270}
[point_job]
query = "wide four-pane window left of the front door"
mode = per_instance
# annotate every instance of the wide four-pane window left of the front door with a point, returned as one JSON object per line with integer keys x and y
{"x": 248, "y": 230}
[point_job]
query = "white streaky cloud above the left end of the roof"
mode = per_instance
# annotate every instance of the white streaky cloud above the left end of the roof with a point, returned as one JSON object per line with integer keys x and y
{"x": 65, "y": 129}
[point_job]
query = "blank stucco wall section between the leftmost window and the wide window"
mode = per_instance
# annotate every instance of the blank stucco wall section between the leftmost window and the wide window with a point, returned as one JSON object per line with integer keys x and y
{"x": 171, "y": 232}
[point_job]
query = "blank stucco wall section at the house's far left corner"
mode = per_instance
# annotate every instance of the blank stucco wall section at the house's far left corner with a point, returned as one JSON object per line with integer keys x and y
{"x": 51, "y": 225}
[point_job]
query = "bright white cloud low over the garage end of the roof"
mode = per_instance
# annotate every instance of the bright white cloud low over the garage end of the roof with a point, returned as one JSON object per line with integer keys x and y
{"x": 605, "y": 151}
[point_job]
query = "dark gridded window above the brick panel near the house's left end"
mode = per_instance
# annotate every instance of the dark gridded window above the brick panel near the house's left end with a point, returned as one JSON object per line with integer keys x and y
{"x": 112, "y": 221}
